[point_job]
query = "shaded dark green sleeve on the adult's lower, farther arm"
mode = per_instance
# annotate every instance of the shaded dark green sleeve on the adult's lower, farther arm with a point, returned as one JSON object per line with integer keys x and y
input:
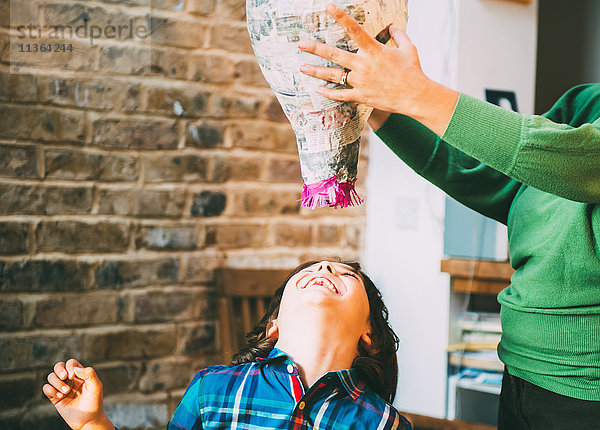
{"x": 461, "y": 176}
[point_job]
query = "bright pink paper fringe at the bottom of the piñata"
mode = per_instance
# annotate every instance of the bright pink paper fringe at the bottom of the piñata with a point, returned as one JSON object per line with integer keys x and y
{"x": 330, "y": 192}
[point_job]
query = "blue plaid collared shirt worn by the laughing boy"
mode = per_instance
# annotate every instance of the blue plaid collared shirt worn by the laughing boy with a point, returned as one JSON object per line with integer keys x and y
{"x": 268, "y": 394}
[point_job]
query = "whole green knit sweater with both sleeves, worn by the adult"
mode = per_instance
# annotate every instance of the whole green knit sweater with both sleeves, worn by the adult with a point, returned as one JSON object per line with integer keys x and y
{"x": 539, "y": 175}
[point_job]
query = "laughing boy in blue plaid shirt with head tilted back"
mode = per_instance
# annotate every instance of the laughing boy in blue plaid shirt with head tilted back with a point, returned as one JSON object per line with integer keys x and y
{"x": 323, "y": 357}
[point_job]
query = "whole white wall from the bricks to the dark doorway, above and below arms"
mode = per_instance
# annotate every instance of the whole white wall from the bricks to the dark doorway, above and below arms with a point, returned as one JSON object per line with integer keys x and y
{"x": 468, "y": 45}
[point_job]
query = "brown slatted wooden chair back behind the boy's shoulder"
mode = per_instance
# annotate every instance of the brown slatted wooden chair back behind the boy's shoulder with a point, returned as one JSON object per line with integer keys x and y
{"x": 243, "y": 296}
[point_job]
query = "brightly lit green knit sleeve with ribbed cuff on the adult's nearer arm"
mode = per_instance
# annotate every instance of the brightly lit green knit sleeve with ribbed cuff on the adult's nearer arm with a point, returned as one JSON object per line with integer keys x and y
{"x": 558, "y": 158}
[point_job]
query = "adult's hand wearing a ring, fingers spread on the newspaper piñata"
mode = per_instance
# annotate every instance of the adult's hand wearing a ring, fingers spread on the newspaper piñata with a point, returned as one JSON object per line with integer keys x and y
{"x": 386, "y": 78}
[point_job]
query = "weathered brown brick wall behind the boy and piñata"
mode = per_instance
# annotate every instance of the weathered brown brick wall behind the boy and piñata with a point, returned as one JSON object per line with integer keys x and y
{"x": 129, "y": 171}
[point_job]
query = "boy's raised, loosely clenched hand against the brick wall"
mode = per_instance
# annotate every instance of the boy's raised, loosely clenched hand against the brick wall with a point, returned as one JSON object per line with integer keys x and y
{"x": 76, "y": 393}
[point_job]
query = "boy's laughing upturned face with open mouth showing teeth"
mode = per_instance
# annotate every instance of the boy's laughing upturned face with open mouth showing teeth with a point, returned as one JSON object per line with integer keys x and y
{"x": 326, "y": 289}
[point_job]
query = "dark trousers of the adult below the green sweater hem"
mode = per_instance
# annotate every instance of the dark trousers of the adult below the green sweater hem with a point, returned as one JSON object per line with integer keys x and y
{"x": 527, "y": 406}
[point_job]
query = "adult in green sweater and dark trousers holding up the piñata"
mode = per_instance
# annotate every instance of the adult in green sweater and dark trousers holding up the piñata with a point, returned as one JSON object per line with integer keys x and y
{"x": 540, "y": 175}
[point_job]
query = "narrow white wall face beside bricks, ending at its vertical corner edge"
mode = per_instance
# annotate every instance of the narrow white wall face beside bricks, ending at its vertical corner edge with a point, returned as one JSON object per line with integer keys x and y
{"x": 405, "y": 234}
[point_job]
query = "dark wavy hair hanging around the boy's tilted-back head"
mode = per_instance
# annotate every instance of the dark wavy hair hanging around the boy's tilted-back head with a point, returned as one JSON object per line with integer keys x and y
{"x": 379, "y": 370}
